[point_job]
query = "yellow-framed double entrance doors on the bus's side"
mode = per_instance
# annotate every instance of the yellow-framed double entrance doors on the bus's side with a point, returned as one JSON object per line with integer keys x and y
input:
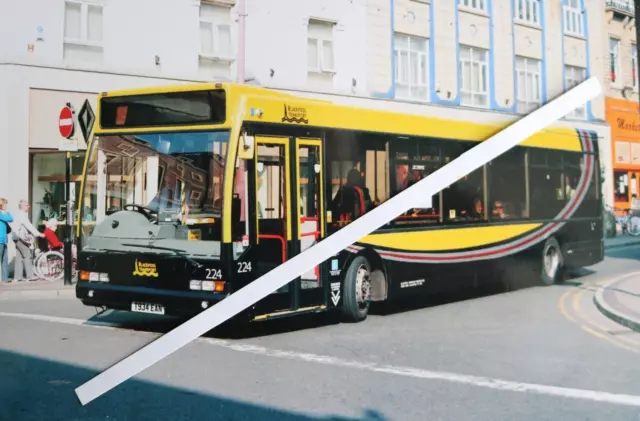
{"x": 288, "y": 220}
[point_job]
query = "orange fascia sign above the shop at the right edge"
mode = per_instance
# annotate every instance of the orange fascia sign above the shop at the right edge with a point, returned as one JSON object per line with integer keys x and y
{"x": 624, "y": 118}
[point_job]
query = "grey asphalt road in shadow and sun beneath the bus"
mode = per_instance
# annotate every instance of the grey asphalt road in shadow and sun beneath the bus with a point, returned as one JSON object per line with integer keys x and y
{"x": 533, "y": 353}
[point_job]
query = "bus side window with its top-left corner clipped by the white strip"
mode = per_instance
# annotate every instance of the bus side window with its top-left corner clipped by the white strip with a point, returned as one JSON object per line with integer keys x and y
{"x": 507, "y": 186}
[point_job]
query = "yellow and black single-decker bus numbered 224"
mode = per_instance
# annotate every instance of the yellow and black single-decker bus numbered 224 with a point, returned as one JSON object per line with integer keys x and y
{"x": 191, "y": 192}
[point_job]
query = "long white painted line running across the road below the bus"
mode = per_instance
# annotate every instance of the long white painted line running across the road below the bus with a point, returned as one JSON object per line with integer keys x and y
{"x": 484, "y": 382}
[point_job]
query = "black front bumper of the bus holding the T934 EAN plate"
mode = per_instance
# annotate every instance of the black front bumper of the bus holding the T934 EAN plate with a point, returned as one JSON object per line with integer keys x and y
{"x": 146, "y": 300}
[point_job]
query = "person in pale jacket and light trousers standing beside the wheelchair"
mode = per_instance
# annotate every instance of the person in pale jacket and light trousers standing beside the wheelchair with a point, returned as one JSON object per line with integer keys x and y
{"x": 23, "y": 236}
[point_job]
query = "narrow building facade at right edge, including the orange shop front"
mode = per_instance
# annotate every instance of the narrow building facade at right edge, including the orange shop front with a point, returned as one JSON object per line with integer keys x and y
{"x": 621, "y": 81}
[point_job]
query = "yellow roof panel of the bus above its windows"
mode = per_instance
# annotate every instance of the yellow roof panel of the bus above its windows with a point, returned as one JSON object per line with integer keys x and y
{"x": 278, "y": 107}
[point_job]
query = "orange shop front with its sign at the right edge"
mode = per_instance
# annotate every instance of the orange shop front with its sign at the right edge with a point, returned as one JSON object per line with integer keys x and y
{"x": 624, "y": 118}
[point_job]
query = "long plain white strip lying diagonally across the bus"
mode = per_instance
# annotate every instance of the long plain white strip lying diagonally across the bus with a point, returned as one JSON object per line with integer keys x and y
{"x": 469, "y": 161}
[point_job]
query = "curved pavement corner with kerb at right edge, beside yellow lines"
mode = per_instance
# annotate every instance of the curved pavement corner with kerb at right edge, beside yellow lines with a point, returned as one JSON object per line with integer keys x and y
{"x": 619, "y": 300}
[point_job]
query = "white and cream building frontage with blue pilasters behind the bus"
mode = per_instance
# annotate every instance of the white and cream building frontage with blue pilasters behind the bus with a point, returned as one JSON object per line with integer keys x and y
{"x": 484, "y": 60}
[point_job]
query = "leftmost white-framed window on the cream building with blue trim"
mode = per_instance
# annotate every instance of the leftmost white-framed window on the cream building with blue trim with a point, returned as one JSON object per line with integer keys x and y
{"x": 419, "y": 56}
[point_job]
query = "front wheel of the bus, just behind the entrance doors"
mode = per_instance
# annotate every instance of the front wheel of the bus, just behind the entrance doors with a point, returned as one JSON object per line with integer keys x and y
{"x": 356, "y": 293}
